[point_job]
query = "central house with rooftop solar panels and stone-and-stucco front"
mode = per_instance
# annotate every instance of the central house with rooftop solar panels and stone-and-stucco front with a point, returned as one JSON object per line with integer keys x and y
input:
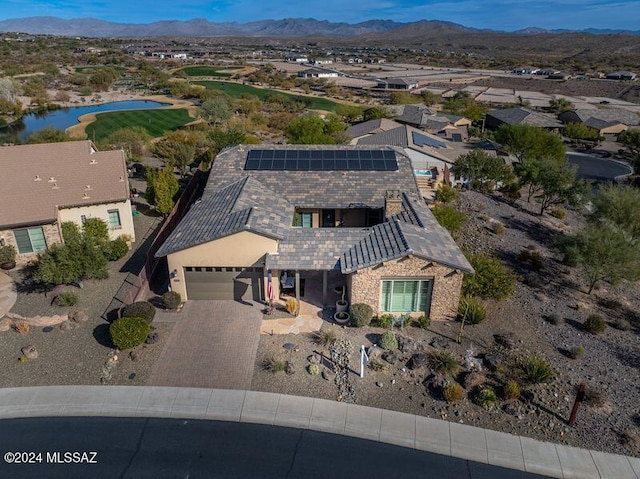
{"x": 345, "y": 214}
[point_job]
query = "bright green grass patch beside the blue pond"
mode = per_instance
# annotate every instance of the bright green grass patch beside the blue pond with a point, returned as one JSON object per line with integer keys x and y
{"x": 156, "y": 122}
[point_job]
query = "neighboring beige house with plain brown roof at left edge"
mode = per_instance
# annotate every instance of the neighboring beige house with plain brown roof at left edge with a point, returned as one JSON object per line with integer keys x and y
{"x": 45, "y": 185}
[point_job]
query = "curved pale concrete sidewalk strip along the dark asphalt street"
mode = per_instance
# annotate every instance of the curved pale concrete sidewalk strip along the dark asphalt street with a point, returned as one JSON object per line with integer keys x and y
{"x": 421, "y": 433}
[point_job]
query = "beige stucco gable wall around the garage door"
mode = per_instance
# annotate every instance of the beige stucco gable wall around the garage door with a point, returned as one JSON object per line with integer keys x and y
{"x": 239, "y": 250}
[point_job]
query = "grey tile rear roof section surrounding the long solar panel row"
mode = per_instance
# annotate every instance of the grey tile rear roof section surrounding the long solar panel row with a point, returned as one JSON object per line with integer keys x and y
{"x": 316, "y": 189}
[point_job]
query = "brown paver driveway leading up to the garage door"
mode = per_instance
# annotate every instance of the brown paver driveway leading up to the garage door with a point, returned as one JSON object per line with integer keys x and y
{"x": 212, "y": 345}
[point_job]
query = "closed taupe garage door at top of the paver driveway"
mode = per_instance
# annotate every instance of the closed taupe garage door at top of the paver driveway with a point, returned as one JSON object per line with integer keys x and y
{"x": 240, "y": 284}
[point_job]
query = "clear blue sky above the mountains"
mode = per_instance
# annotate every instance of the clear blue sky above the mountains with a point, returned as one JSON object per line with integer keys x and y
{"x": 494, "y": 14}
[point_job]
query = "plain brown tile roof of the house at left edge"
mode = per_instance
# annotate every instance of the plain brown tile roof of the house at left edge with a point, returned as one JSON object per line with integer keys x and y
{"x": 36, "y": 180}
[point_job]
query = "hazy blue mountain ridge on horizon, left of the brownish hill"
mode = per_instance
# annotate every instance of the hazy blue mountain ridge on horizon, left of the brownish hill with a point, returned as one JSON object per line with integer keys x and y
{"x": 91, "y": 27}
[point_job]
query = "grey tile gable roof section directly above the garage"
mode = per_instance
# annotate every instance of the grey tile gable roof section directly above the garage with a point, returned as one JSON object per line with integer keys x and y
{"x": 244, "y": 205}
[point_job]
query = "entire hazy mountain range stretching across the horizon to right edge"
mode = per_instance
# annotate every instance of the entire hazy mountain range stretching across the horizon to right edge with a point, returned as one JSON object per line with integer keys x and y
{"x": 91, "y": 27}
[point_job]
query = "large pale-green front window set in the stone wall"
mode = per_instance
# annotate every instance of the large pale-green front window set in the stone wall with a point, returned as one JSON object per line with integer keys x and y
{"x": 406, "y": 296}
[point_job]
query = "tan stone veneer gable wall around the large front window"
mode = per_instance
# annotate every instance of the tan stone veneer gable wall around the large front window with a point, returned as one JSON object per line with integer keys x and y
{"x": 365, "y": 284}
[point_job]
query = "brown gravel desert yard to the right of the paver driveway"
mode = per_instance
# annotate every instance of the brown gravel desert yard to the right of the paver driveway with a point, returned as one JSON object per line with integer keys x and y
{"x": 610, "y": 363}
